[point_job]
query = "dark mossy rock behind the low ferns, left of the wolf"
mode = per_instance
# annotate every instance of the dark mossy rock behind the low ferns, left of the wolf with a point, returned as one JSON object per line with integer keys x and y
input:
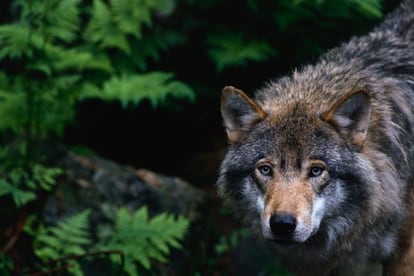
{"x": 103, "y": 186}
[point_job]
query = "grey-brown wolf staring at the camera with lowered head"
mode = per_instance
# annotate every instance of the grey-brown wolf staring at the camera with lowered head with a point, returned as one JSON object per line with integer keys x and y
{"x": 320, "y": 163}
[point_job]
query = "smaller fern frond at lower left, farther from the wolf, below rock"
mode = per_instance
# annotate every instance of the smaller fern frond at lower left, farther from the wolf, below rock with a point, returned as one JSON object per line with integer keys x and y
{"x": 69, "y": 237}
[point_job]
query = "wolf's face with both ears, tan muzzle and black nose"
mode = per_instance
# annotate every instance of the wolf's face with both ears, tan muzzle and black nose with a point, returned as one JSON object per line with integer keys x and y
{"x": 291, "y": 169}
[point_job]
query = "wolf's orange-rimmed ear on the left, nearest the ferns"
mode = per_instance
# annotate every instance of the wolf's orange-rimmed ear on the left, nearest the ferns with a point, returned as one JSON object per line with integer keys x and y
{"x": 239, "y": 113}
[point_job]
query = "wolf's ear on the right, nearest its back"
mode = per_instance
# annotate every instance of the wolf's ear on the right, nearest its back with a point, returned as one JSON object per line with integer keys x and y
{"x": 351, "y": 116}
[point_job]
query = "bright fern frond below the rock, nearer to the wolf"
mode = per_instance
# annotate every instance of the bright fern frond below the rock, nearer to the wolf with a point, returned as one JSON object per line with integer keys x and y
{"x": 143, "y": 239}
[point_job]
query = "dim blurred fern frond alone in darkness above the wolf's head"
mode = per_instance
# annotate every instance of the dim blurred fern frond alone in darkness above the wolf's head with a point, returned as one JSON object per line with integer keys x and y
{"x": 232, "y": 49}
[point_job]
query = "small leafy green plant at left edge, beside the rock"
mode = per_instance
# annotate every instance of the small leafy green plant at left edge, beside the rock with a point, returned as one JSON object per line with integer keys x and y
{"x": 22, "y": 185}
